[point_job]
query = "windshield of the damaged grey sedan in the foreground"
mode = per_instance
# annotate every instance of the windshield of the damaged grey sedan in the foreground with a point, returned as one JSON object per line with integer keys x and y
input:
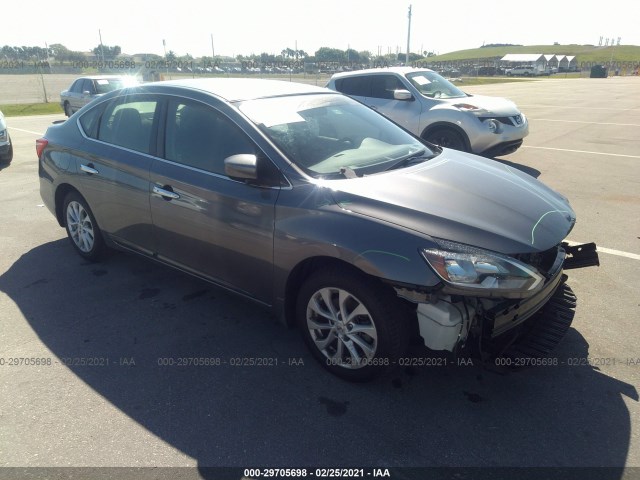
{"x": 327, "y": 135}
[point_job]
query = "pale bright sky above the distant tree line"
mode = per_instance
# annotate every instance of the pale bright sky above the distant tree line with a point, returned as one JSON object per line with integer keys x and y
{"x": 254, "y": 26}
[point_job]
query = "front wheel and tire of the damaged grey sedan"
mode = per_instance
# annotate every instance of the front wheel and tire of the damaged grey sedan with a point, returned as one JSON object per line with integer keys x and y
{"x": 366, "y": 343}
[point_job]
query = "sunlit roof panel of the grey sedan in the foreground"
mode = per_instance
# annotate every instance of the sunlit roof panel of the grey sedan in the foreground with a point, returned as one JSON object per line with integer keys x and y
{"x": 238, "y": 89}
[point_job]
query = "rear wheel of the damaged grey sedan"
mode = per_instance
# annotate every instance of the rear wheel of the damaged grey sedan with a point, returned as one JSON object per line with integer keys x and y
{"x": 82, "y": 228}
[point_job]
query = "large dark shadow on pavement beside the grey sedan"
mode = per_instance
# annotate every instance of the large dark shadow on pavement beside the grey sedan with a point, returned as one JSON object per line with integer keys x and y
{"x": 296, "y": 414}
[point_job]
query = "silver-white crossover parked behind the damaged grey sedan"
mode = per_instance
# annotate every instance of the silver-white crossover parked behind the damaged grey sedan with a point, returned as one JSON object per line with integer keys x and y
{"x": 436, "y": 110}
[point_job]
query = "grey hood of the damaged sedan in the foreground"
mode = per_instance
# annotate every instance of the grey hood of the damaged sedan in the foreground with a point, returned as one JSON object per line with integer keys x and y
{"x": 466, "y": 199}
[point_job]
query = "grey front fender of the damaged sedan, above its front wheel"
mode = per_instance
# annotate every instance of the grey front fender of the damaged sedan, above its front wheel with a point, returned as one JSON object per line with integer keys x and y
{"x": 310, "y": 224}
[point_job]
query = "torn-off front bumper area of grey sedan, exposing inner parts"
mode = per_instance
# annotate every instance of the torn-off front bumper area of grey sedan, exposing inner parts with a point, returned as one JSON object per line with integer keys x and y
{"x": 489, "y": 327}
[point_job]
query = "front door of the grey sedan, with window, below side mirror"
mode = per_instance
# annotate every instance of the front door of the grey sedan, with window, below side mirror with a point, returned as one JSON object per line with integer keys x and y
{"x": 204, "y": 221}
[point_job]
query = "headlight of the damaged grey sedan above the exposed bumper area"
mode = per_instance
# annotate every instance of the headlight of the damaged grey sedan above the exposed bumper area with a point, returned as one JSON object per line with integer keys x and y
{"x": 488, "y": 273}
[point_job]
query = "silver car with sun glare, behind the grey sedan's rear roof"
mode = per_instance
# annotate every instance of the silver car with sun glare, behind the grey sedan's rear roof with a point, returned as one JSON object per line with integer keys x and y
{"x": 84, "y": 89}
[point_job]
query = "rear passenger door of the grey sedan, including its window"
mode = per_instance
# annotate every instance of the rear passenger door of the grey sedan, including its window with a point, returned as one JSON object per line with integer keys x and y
{"x": 114, "y": 174}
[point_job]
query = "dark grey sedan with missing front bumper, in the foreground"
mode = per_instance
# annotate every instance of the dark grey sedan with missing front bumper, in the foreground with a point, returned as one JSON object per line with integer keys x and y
{"x": 312, "y": 204}
